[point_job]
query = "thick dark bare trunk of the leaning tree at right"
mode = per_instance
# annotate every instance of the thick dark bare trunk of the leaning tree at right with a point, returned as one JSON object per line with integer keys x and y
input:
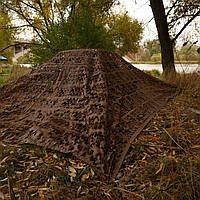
{"x": 163, "y": 35}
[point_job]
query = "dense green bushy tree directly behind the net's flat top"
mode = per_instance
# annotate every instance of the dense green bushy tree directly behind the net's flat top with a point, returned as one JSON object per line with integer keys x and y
{"x": 83, "y": 28}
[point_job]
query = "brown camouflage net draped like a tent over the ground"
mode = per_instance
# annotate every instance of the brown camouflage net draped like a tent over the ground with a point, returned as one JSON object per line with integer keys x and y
{"x": 89, "y": 102}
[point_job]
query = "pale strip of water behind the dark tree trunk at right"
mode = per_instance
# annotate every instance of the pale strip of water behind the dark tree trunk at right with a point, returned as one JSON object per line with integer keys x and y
{"x": 187, "y": 68}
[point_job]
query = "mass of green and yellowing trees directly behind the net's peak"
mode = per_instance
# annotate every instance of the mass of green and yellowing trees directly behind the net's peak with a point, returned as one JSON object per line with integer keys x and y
{"x": 67, "y": 24}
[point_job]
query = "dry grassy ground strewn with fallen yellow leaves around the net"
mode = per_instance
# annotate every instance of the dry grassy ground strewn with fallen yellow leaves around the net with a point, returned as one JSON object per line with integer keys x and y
{"x": 162, "y": 163}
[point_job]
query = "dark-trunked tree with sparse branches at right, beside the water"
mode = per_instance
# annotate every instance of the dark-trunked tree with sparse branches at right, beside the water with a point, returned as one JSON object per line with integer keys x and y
{"x": 182, "y": 9}
